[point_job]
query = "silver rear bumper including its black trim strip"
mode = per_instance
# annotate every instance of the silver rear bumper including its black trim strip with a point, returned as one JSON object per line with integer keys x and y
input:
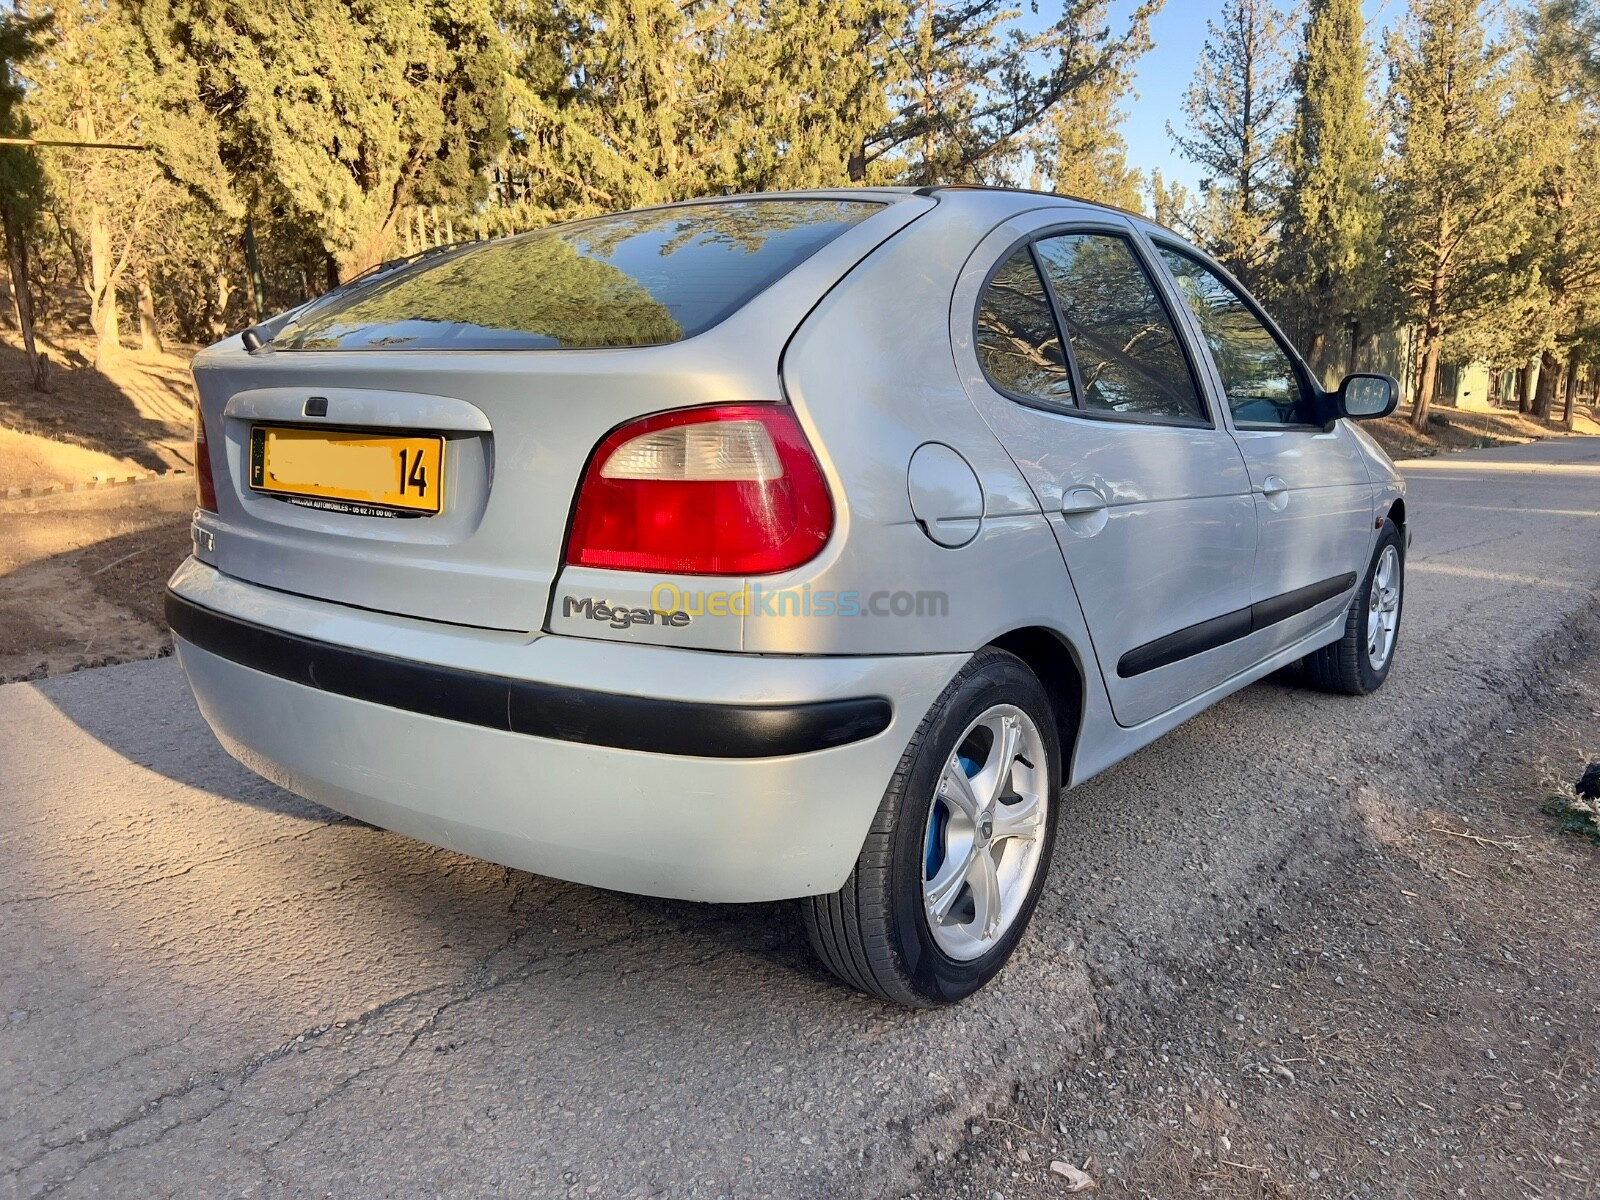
{"x": 641, "y": 769}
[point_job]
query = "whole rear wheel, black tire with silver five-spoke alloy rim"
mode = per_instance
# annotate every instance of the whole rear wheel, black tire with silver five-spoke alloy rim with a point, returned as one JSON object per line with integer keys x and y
{"x": 959, "y": 849}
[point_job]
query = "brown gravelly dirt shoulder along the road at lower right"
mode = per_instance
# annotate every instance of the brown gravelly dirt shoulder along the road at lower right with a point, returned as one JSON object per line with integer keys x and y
{"x": 1425, "y": 1026}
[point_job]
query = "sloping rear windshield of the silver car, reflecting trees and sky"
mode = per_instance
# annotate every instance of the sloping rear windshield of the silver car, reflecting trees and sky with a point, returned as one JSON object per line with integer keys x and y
{"x": 636, "y": 279}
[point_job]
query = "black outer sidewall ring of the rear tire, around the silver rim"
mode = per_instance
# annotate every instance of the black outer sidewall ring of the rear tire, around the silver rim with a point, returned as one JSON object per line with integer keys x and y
{"x": 930, "y": 972}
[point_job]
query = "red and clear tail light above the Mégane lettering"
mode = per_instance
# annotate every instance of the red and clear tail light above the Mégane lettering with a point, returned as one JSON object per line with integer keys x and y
{"x": 726, "y": 490}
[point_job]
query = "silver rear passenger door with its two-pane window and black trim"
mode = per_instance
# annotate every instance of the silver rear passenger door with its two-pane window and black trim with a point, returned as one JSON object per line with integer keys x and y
{"x": 1143, "y": 486}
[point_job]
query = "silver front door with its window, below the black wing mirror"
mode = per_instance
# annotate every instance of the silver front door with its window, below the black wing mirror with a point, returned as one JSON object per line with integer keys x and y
{"x": 1314, "y": 497}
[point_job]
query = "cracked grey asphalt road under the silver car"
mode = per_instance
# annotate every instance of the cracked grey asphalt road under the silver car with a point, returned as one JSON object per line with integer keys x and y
{"x": 210, "y": 986}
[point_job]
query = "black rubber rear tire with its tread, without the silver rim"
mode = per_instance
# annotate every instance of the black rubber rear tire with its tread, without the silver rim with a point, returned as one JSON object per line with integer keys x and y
{"x": 874, "y": 934}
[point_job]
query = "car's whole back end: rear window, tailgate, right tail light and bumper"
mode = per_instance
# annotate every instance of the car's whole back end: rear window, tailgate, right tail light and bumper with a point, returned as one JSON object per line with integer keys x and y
{"x": 399, "y": 486}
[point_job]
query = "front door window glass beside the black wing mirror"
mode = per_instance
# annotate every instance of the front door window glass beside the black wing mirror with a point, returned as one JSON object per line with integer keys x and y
{"x": 1257, "y": 374}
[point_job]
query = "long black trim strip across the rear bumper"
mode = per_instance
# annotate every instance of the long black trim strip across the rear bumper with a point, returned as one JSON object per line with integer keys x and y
{"x": 684, "y": 729}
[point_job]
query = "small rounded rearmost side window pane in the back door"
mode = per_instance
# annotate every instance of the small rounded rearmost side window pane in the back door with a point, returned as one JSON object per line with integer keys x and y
{"x": 1017, "y": 335}
